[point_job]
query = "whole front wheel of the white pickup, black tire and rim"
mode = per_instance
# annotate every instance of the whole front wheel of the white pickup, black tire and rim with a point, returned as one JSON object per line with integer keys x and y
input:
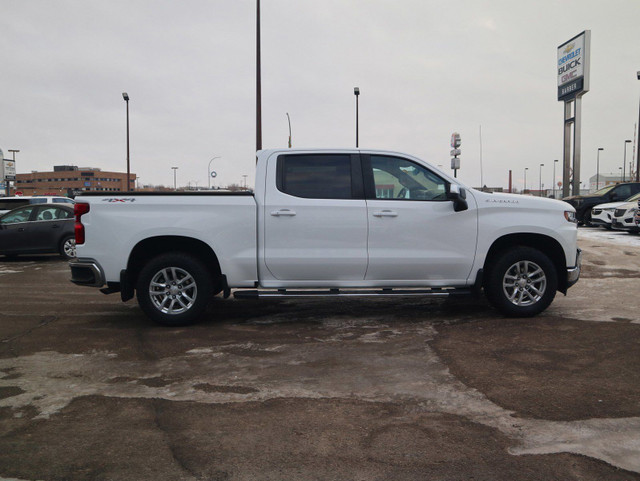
{"x": 521, "y": 282}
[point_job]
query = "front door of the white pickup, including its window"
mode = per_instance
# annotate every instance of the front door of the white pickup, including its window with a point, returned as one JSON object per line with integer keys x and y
{"x": 414, "y": 233}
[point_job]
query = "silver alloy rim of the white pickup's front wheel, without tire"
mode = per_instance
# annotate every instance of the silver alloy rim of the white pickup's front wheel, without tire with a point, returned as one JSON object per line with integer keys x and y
{"x": 524, "y": 283}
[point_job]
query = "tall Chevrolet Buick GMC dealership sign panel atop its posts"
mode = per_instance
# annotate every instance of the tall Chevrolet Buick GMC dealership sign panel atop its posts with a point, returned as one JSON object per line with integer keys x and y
{"x": 573, "y": 67}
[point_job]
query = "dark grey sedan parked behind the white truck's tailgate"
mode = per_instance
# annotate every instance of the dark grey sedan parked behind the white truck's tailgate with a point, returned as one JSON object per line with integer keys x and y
{"x": 38, "y": 229}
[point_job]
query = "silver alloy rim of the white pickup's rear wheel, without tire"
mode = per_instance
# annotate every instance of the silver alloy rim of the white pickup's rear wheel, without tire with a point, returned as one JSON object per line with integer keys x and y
{"x": 173, "y": 290}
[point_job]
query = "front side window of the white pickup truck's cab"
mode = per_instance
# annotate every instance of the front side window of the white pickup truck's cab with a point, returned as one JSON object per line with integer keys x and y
{"x": 401, "y": 179}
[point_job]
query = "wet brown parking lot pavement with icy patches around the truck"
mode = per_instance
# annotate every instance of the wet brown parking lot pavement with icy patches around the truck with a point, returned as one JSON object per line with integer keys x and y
{"x": 377, "y": 389}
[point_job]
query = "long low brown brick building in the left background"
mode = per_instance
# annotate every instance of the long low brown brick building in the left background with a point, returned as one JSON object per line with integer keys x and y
{"x": 68, "y": 179}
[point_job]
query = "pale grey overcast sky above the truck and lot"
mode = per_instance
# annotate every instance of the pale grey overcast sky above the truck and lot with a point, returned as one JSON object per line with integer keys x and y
{"x": 425, "y": 69}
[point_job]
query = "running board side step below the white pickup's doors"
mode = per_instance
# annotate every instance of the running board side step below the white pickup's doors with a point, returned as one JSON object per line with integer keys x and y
{"x": 435, "y": 292}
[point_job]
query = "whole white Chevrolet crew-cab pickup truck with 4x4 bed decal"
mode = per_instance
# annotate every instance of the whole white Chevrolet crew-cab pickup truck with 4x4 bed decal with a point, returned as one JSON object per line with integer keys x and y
{"x": 327, "y": 223}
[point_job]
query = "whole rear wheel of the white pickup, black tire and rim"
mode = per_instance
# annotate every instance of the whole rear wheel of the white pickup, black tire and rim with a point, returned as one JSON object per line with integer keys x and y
{"x": 172, "y": 302}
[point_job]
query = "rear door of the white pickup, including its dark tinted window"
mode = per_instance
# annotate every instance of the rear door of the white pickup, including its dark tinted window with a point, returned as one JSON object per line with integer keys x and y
{"x": 315, "y": 218}
